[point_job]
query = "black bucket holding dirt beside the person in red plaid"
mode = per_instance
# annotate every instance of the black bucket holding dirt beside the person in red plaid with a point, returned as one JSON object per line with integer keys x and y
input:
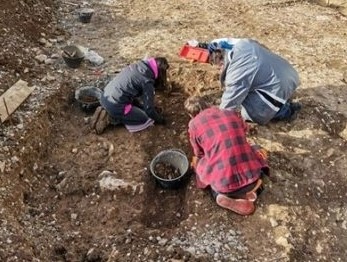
{"x": 177, "y": 159}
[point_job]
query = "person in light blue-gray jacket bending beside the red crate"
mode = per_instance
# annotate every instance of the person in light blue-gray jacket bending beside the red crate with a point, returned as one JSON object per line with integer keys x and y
{"x": 255, "y": 80}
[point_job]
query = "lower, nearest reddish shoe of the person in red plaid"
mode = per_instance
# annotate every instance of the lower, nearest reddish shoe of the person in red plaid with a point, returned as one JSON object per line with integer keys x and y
{"x": 240, "y": 206}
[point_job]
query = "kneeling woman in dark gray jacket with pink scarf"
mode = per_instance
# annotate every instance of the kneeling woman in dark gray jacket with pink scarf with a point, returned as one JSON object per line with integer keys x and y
{"x": 129, "y": 98}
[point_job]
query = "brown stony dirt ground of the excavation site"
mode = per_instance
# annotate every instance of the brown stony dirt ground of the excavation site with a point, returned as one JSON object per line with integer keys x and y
{"x": 67, "y": 194}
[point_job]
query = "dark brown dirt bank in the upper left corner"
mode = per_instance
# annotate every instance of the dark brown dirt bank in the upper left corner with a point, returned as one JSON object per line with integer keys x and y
{"x": 25, "y": 25}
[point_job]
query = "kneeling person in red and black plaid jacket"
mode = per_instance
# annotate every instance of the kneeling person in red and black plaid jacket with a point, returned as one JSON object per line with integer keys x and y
{"x": 223, "y": 160}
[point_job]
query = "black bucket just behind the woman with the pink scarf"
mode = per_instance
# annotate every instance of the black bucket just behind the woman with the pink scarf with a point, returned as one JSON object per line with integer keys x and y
{"x": 88, "y": 97}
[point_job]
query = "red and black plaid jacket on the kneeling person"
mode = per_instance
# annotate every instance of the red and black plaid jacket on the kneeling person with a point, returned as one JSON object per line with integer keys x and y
{"x": 227, "y": 162}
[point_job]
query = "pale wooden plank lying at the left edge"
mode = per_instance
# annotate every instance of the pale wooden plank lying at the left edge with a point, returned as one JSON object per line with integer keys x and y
{"x": 13, "y": 98}
